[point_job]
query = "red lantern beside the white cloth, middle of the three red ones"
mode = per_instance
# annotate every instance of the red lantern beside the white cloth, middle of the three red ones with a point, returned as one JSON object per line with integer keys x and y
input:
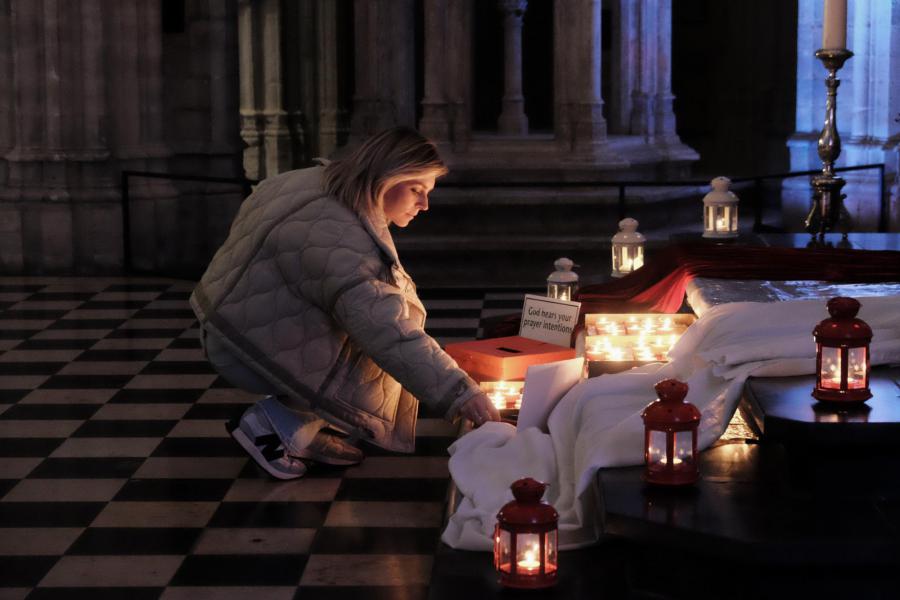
{"x": 670, "y": 436}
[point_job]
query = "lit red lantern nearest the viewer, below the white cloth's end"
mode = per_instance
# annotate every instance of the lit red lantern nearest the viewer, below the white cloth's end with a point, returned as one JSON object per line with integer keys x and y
{"x": 525, "y": 538}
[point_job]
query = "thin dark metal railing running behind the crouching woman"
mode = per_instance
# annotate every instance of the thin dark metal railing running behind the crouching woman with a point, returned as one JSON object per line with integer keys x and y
{"x": 621, "y": 186}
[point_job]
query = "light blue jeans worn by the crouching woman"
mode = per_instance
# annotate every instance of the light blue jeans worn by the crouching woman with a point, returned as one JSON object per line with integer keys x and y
{"x": 296, "y": 426}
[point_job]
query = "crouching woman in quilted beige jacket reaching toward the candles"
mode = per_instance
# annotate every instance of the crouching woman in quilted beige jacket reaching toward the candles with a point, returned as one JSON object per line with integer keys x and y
{"x": 307, "y": 302}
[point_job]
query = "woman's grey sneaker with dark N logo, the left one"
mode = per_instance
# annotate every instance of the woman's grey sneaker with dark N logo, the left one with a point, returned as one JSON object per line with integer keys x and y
{"x": 256, "y": 435}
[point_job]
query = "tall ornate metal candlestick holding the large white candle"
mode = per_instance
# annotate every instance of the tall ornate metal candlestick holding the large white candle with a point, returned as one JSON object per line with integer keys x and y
{"x": 828, "y": 212}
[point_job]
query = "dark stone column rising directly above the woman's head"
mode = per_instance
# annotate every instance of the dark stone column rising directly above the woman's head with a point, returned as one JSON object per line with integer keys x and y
{"x": 384, "y": 66}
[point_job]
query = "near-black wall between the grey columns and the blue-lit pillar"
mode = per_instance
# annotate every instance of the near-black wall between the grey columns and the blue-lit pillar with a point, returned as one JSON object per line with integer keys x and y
{"x": 733, "y": 74}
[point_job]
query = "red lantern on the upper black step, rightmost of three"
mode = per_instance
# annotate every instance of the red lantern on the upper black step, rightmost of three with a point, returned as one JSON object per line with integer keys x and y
{"x": 842, "y": 354}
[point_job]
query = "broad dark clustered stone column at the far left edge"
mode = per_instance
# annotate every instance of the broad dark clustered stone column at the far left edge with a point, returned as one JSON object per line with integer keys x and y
{"x": 86, "y": 102}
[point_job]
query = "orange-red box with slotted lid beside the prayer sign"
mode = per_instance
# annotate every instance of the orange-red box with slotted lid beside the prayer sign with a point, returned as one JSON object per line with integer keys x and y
{"x": 506, "y": 358}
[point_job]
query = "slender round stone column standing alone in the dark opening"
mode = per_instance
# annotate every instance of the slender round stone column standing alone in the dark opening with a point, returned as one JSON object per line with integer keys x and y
{"x": 512, "y": 119}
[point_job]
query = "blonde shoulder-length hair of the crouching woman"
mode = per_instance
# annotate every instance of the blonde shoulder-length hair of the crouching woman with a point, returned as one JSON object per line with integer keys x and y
{"x": 360, "y": 179}
